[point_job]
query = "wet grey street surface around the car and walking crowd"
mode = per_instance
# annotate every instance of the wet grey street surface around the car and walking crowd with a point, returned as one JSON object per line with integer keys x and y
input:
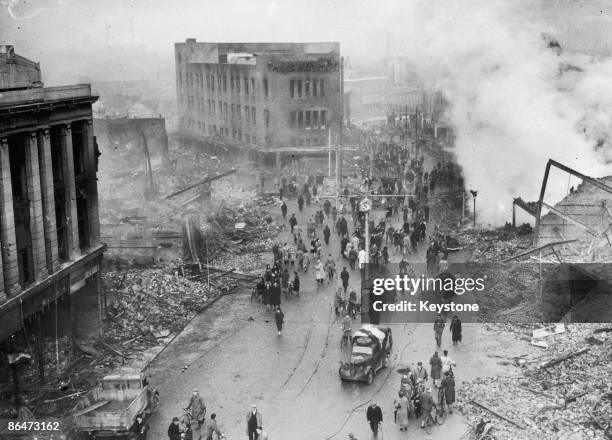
{"x": 232, "y": 353}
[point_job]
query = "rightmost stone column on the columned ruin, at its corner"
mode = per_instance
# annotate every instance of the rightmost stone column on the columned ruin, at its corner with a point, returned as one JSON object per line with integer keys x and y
{"x": 92, "y": 184}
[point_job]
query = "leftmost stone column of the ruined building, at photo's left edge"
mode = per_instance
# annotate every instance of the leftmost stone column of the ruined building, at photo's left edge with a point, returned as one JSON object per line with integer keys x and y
{"x": 10, "y": 266}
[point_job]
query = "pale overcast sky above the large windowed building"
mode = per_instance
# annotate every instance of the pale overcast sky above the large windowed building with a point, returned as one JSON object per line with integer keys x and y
{"x": 51, "y": 30}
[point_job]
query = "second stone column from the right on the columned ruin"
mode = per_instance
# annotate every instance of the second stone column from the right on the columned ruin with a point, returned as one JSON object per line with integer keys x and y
{"x": 71, "y": 211}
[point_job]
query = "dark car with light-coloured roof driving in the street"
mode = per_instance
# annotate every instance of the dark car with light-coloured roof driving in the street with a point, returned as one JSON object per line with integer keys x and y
{"x": 371, "y": 346}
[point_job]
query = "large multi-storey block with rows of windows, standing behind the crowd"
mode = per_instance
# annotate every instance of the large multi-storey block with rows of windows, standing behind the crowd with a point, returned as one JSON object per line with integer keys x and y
{"x": 269, "y": 96}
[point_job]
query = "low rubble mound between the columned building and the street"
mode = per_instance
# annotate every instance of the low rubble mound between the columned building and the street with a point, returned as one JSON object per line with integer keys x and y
{"x": 151, "y": 303}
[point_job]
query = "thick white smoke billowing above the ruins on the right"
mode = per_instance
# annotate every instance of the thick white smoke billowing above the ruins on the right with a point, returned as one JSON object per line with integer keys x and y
{"x": 517, "y": 99}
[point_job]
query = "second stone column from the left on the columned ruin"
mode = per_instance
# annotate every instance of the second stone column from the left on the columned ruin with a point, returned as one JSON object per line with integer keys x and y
{"x": 37, "y": 229}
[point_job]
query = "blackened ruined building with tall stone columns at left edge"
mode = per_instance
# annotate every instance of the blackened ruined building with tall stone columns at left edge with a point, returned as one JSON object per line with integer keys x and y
{"x": 49, "y": 228}
